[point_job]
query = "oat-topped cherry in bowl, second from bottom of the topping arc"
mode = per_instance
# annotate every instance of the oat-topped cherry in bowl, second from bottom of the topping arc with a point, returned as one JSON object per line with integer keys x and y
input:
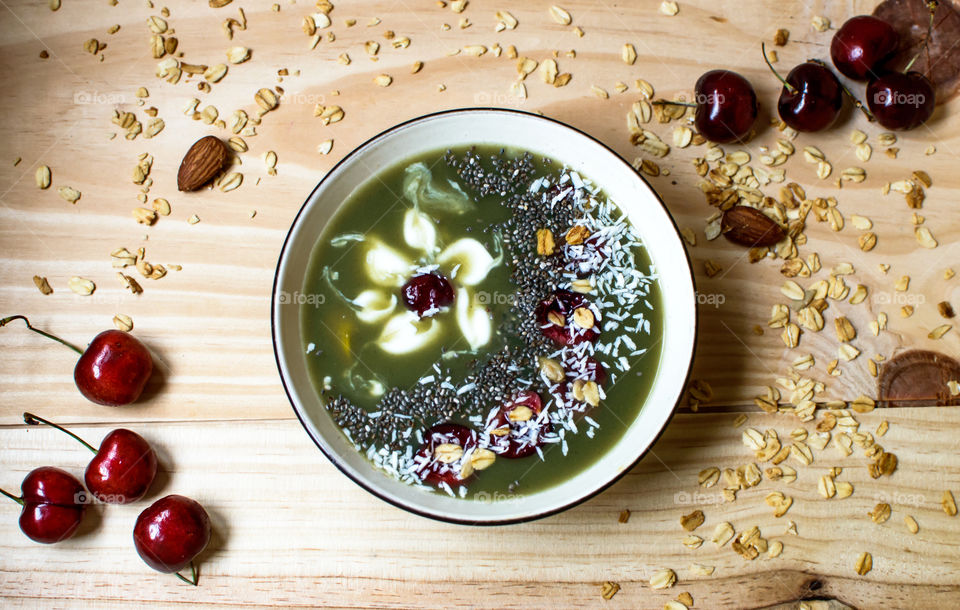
{"x": 514, "y": 435}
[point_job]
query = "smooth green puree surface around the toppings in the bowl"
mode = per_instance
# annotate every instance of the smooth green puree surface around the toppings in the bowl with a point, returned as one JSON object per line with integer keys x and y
{"x": 346, "y": 357}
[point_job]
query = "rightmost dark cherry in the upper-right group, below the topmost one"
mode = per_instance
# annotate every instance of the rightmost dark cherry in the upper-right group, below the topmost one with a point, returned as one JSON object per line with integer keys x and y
{"x": 901, "y": 101}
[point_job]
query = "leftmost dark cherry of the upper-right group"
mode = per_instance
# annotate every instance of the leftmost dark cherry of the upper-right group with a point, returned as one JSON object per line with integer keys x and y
{"x": 726, "y": 106}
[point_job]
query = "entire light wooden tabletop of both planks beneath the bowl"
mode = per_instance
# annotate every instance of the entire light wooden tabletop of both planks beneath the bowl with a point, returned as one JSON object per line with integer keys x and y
{"x": 289, "y": 528}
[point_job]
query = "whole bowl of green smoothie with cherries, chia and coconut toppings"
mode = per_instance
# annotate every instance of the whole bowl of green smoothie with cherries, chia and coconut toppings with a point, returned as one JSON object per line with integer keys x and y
{"x": 483, "y": 316}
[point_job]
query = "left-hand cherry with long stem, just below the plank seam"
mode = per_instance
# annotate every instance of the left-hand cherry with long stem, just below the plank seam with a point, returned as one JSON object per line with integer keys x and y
{"x": 122, "y": 469}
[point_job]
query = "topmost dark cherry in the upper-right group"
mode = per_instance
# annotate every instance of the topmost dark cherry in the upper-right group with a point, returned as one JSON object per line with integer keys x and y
{"x": 862, "y": 45}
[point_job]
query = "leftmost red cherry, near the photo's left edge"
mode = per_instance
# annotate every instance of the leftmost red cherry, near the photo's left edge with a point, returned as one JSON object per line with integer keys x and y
{"x": 53, "y": 504}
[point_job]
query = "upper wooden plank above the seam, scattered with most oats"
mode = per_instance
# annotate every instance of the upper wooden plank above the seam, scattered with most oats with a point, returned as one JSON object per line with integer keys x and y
{"x": 208, "y": 324}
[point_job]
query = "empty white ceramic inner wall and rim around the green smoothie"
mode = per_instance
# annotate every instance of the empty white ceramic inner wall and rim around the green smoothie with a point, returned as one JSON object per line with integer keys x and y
{"x": 541, "y": 136}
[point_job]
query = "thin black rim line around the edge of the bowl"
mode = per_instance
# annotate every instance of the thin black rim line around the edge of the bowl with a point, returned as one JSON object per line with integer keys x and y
{"x": 333, "y": 458}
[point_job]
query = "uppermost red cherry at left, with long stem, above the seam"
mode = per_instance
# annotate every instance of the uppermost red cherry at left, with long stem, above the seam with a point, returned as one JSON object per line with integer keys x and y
{"x": 112, "y": 371}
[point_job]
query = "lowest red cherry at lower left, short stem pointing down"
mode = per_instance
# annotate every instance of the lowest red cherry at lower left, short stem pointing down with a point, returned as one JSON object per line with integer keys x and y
{"x": 171, "y": 532}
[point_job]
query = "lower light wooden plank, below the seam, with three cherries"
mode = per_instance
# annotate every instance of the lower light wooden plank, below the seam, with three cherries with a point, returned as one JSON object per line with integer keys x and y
{"x": 289, "y": 528}
